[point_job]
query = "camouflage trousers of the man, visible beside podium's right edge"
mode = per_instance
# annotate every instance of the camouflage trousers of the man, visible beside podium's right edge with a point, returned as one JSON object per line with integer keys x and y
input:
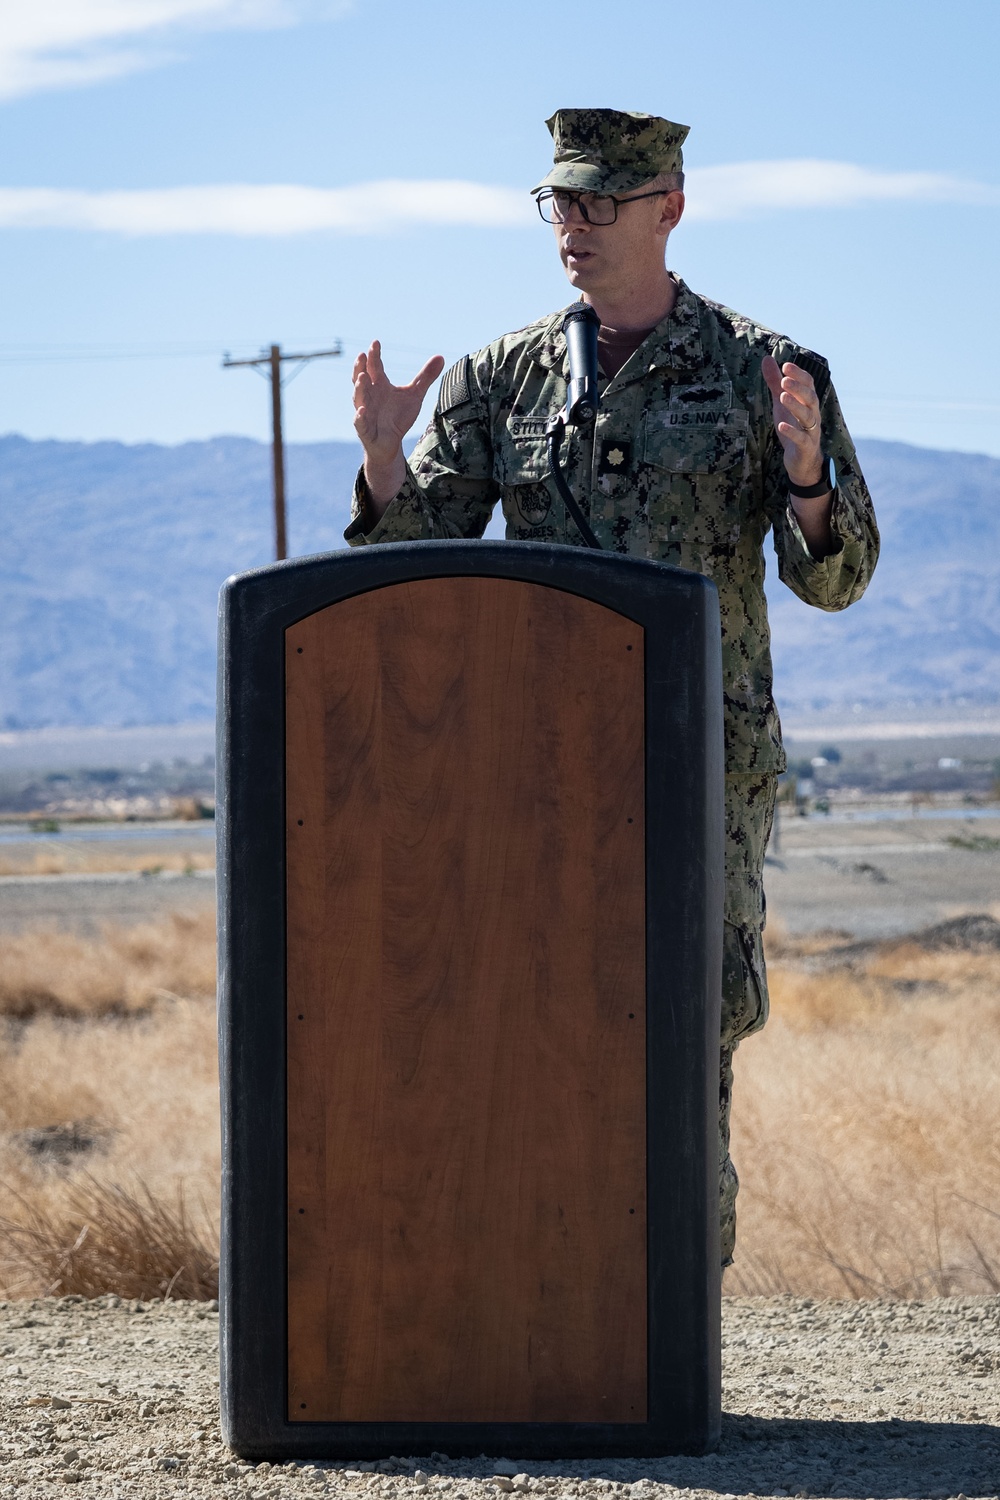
{"x": 749, "y": 818}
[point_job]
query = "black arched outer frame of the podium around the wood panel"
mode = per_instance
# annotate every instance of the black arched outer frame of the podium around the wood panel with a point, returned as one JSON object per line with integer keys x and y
{"x": 684, "y": 926}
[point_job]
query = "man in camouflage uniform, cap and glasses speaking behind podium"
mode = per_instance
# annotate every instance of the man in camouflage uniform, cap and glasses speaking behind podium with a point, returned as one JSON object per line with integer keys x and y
{"x": 711, "y": 431}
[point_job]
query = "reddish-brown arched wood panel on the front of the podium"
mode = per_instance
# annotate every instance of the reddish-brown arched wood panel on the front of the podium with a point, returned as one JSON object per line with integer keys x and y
{"x": 467, "y": 1063}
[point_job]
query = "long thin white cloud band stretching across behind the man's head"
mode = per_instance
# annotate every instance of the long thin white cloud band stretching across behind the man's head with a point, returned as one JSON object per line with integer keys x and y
{"x": 383, "y": 208}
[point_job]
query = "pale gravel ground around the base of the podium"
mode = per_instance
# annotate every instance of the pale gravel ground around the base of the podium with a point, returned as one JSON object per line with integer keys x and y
{"x": 822, "y": 1399}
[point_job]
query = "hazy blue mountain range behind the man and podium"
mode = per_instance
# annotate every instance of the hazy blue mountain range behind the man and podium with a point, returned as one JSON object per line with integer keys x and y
{"x": 113, "y": 557}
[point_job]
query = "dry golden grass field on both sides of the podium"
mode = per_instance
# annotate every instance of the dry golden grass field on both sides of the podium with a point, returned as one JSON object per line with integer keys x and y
{"x": 867, "y": 1120}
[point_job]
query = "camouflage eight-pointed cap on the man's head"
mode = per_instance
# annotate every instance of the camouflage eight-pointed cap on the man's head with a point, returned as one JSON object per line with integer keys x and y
{"x": 612, "y": 151}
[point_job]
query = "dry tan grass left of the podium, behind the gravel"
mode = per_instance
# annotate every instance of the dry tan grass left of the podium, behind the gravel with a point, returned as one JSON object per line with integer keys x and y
{"x": 142, "y": 1097}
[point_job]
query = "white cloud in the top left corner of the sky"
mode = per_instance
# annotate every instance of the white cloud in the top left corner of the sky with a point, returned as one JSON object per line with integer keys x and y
{"x": 59, "y": 44}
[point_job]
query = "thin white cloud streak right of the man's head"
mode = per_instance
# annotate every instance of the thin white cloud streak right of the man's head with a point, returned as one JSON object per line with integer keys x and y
{"x": 746, "y": 188}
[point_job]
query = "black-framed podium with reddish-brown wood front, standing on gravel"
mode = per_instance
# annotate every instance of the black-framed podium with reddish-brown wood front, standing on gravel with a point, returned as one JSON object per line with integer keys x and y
{"x": 470, "y": 935}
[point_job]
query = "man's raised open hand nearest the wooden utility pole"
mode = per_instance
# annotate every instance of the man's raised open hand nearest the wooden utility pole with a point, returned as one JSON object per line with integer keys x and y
{"x": 383, "y": 416}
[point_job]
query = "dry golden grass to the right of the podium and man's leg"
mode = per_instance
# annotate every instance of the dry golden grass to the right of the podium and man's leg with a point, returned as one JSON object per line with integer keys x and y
{"x": 867, "y": 1129}
